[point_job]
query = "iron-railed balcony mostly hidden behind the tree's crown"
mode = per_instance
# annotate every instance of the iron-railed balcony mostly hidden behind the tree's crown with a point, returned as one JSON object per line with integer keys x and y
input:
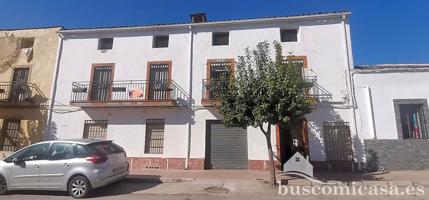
{"x": 315, "y": 91}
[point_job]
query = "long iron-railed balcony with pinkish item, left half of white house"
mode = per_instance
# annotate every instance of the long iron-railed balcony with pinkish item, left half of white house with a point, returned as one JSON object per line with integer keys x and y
{"x": 128, "y": 93}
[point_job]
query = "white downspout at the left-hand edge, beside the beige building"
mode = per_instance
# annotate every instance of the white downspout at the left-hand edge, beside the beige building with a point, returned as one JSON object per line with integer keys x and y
{"x": 47, "y": 135}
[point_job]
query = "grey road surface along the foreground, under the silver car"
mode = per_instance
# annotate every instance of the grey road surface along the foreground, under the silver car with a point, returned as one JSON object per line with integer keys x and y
{"x": 184, "y": 191}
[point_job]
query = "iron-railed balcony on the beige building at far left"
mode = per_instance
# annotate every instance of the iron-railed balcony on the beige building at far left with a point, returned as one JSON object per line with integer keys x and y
{"x": 18, "y": 94}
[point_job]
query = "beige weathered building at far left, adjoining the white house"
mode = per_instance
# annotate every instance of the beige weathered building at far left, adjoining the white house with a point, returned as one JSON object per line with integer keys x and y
{"x": 27, "y": 63}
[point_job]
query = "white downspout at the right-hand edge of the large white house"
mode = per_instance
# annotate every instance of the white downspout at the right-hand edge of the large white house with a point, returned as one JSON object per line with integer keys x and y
{"x": 351, "y": 84}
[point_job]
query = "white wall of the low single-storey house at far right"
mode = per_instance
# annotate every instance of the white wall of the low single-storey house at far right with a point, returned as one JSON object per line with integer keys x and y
{"x": 386, "y": 83}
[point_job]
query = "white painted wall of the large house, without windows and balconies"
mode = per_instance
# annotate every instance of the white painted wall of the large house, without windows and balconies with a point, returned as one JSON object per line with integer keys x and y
{"x": 324, "y": 39}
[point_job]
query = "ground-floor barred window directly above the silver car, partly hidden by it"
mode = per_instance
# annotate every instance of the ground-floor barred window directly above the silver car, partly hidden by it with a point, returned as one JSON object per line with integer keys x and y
{"x": 95, "y": 129}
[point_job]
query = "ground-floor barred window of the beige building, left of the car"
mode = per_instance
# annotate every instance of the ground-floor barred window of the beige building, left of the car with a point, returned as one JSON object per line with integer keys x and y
{"x": 9, "y": 135}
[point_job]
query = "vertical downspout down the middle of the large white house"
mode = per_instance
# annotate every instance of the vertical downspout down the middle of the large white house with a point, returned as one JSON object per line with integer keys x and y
{"x": 188, "y": 136}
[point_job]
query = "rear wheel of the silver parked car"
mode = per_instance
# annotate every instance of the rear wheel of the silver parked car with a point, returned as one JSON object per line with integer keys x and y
{"x": 79, "y": 187}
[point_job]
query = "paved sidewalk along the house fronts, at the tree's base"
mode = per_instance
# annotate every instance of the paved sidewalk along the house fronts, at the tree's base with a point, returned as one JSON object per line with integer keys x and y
{"x": 399, "y": 178}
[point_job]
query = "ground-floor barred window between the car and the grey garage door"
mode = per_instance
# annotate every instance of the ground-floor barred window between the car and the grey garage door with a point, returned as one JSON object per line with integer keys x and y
{"x": 154, "y": 141}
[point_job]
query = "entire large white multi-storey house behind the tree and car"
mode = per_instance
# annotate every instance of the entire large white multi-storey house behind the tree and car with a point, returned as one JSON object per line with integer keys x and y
{"x": 145, "y": 87}
